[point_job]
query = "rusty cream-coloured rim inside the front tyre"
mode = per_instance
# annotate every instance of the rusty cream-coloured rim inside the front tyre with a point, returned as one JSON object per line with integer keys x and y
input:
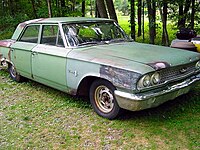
{"x": 104, "y": 99}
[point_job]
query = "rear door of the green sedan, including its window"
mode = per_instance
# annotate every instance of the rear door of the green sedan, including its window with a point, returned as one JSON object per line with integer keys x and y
{"x": 21, "y": 50}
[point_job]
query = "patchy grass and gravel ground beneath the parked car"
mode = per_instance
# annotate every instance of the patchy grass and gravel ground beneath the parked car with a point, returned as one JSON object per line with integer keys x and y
{"x": 33, "y": 116}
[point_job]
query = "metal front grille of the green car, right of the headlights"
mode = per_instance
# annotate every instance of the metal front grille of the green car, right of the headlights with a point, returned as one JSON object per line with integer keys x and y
{"x": 178, "y": 72}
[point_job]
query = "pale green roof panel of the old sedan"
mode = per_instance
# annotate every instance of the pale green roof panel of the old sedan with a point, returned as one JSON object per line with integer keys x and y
{"x": 65, "y": 20}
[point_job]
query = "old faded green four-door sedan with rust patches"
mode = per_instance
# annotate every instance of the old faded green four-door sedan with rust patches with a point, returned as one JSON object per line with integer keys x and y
{"x": 94, "y": 57}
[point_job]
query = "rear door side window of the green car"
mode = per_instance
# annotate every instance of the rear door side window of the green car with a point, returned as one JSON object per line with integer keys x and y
{"x": 31, "y": 34}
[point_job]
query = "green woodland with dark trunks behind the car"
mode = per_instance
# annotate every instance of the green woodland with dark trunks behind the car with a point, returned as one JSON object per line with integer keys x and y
{"x": 148, "y": 21}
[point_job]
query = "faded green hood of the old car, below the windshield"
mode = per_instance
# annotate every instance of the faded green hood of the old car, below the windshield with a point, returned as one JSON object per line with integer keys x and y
{"x": 133, "y": 53}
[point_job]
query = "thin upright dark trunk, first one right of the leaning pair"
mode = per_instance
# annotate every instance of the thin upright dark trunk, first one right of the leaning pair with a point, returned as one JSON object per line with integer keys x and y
{"x": 132, "y": 20}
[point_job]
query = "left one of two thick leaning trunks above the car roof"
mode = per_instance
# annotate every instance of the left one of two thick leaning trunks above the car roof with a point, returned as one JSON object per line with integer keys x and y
{"x": 101, "y": 8}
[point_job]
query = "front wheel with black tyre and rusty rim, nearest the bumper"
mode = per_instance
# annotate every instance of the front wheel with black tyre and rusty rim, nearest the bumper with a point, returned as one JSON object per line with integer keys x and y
{"x": 103, "y": 100}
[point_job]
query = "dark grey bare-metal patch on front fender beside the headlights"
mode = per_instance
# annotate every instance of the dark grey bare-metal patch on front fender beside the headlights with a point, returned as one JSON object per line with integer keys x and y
{"x": 120, "y": 77}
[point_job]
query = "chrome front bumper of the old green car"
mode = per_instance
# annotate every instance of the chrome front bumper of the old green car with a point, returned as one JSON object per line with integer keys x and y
{"x": 135, "y": 102}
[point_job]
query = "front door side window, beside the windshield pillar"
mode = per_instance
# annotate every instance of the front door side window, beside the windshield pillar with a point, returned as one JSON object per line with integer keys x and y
{"x": 51, "y": 36}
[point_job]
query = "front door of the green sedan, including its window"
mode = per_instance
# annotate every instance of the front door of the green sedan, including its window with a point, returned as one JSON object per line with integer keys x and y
{"x": 49, "y": 58}
